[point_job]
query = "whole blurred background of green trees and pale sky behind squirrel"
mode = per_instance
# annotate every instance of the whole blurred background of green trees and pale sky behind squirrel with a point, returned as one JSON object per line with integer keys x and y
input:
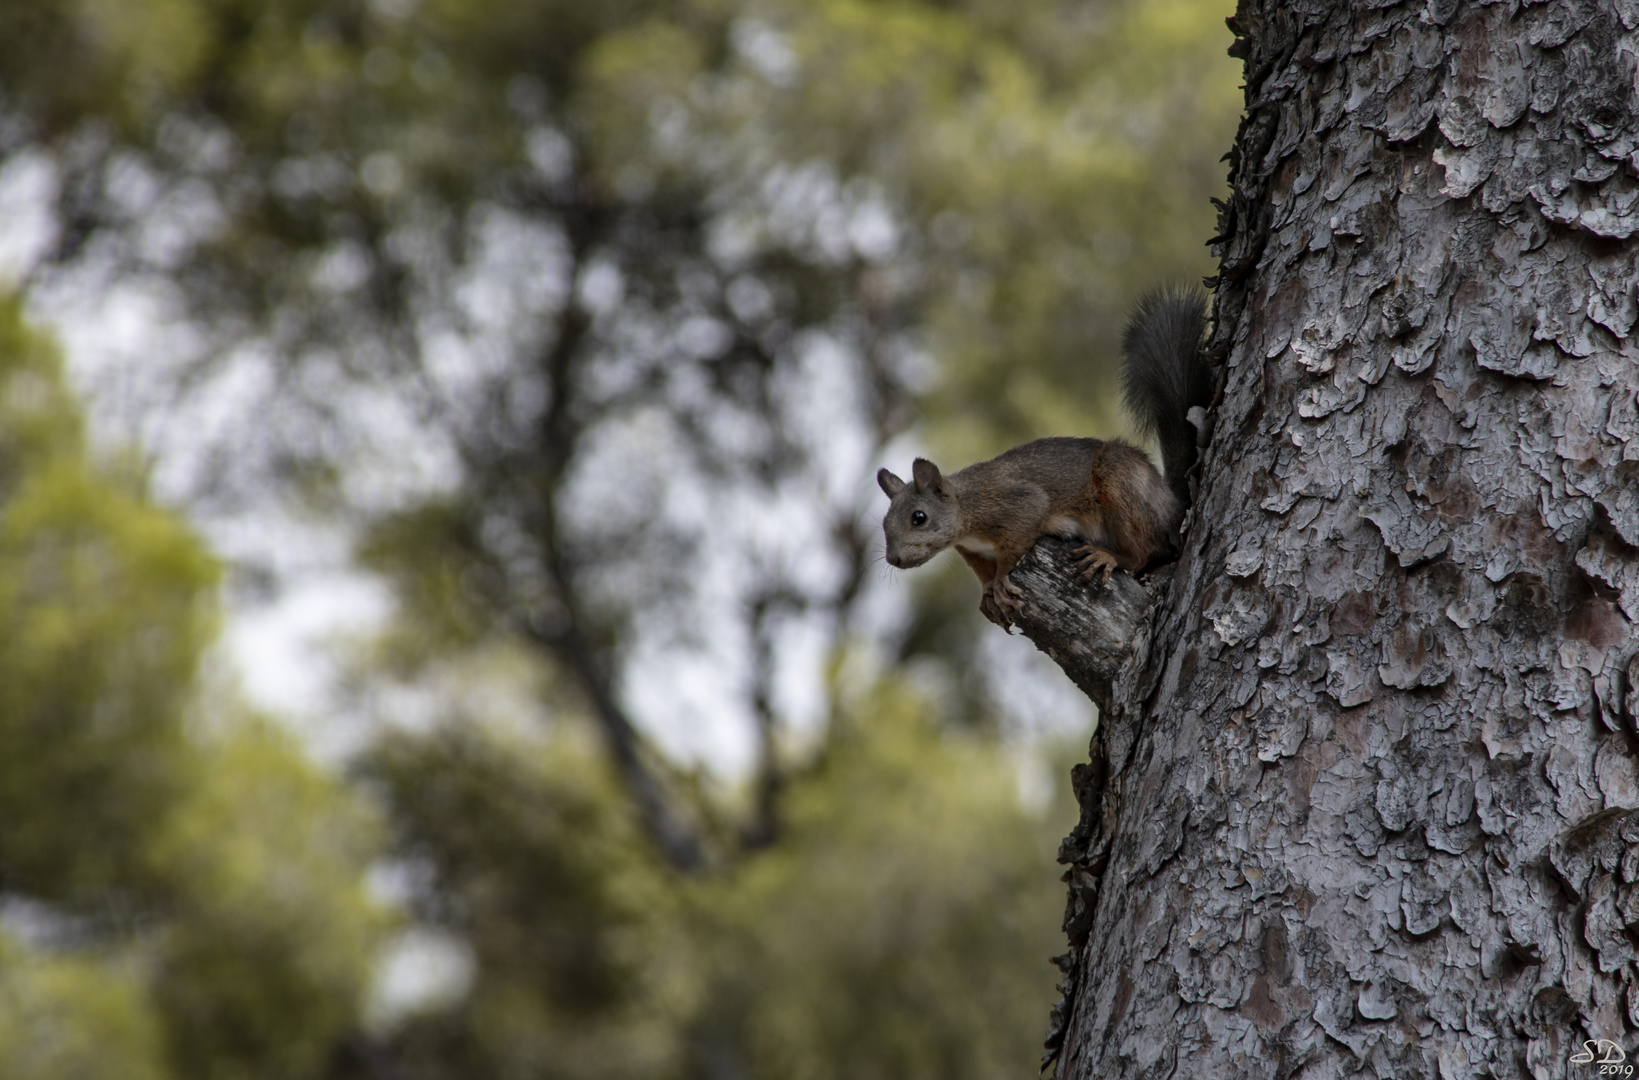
{"x": 588, "y": 325}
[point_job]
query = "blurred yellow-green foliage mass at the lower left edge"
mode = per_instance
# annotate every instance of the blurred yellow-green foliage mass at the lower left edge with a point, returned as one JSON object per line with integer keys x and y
{"x": 179, "y": 884}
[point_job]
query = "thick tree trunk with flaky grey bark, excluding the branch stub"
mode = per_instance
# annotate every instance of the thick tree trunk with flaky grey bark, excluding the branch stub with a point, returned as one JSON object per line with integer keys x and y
{"x": 1364, "y": 804}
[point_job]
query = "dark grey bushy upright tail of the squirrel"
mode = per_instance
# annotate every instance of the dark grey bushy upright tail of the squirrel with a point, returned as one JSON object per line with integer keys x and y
{"x": 1165, "y": 374}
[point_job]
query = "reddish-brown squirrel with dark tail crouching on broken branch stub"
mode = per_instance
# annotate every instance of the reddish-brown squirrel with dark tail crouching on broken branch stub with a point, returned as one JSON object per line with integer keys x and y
{"x": 1104, "y": 492}
